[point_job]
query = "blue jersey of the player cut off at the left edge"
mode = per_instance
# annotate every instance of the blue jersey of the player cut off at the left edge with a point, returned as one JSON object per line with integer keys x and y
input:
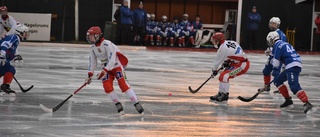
{"x": 9, "y": 45}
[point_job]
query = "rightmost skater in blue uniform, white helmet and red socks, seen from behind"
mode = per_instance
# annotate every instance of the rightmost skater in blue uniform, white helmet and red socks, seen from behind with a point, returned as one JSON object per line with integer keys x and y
{"x": 284, "y": 53}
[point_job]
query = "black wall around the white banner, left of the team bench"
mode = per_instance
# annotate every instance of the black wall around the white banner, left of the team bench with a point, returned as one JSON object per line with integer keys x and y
{"x": 91, "y": 12}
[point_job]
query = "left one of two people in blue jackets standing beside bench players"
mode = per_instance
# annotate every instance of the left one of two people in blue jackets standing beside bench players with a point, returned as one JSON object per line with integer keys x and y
{"x": 126, "y": 22}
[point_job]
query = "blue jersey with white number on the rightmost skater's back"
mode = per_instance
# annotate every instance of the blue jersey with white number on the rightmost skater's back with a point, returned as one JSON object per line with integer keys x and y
{"x": 285, "y": 53}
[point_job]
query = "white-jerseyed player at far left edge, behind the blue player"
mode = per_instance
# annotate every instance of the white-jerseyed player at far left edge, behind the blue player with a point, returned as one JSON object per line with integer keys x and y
{"x": 8, "y": 26}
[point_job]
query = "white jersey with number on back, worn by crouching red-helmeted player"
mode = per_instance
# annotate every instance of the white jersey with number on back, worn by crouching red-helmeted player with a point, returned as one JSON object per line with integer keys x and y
{"x": 229, "y": 50}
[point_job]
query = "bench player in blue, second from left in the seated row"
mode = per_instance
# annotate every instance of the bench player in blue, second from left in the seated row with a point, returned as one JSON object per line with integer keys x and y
{"x": 162, "y": 33}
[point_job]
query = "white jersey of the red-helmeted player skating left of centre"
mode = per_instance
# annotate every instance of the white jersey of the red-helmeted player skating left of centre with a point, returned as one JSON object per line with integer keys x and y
{"x": 109, "y": 55}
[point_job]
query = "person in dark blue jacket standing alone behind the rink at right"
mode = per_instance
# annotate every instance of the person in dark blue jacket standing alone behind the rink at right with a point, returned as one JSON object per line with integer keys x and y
{"x": 254, "y": 19}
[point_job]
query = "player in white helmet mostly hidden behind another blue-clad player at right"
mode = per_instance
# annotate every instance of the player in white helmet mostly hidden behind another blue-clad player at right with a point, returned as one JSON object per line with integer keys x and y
{"x": 274, "y": 25}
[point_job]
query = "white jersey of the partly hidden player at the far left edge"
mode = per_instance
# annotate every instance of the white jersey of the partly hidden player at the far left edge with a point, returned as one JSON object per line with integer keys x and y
{"x": 7, "y": 26}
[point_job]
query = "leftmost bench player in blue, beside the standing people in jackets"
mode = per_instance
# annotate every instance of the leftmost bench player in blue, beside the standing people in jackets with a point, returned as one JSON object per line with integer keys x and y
{"x": 151, "y": 29}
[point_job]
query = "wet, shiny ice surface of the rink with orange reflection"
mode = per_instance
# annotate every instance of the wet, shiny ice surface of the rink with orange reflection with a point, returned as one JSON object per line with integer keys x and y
{"x": 56, "y": 70}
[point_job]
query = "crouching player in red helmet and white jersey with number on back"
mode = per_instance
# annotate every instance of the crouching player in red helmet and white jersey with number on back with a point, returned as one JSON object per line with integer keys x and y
{"x": 234, "y": 61}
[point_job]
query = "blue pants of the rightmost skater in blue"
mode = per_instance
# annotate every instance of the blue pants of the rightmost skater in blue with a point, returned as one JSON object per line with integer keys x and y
{"x": 292, "y": 75}
